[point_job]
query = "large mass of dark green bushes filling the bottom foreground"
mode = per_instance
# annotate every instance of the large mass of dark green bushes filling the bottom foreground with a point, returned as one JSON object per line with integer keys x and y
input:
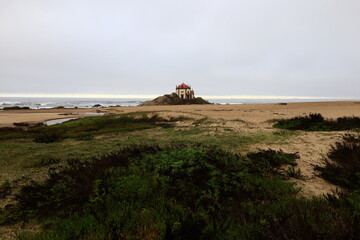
{"x": 197, "y": 192}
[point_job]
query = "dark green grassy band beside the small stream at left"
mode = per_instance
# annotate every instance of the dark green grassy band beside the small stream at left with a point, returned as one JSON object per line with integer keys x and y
{"x": 86, "y": 128}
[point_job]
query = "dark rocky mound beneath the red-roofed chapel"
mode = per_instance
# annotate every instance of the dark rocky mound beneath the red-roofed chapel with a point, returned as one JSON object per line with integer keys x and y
{"x": 173, "y": 99}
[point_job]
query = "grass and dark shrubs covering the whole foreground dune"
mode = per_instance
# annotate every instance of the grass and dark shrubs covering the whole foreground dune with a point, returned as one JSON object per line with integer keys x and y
{"x": 144, "y": 176}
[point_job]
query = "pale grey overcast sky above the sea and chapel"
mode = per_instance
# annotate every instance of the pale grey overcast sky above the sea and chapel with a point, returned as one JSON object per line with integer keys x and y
{"x": 146, "y": 47}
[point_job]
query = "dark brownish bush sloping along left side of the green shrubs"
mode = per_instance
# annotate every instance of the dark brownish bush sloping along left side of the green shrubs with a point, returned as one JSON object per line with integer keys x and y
{"x": 69, "y": 187}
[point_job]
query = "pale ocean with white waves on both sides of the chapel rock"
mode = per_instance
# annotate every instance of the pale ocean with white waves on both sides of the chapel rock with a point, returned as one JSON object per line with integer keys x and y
{"x": 47, "y": 103}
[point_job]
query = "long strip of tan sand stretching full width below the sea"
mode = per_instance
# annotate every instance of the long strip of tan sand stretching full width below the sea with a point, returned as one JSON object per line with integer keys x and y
{"x": 248, "y": 112}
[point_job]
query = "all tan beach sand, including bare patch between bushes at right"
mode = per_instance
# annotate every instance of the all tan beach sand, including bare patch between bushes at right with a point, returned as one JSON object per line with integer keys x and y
{"x": 311, "y": 146}
